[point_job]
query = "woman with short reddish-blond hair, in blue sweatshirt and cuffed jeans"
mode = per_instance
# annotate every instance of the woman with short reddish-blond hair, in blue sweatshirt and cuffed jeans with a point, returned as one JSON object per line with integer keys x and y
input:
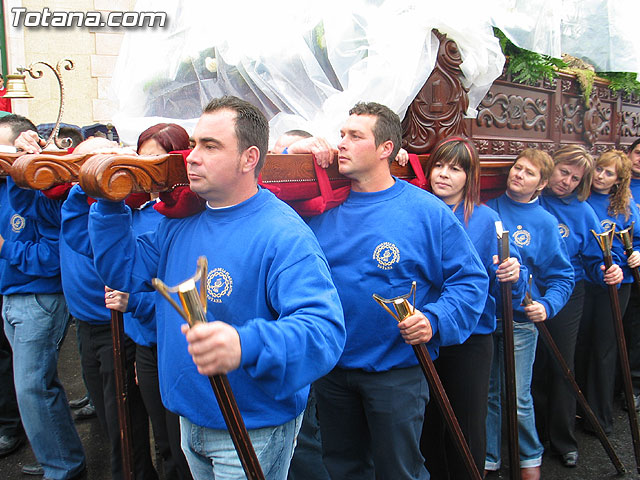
{"x": 543, "y": 252}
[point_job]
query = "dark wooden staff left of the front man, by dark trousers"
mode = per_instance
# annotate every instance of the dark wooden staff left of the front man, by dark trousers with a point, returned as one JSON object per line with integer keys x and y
{"x": 120, "y": 372}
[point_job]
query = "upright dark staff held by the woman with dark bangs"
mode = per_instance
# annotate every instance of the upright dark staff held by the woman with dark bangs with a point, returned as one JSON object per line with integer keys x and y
{"x": 509, "y": 360}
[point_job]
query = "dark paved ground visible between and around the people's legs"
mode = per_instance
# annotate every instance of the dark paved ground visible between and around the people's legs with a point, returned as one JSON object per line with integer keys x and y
{"x": 594, "y": 463}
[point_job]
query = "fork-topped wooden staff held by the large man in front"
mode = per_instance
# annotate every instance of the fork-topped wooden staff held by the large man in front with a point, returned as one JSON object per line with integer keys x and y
{"x": 194, "y": 310}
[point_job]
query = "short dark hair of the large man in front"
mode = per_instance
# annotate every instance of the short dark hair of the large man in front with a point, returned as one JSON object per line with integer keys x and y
{"x": 252, "y": 128}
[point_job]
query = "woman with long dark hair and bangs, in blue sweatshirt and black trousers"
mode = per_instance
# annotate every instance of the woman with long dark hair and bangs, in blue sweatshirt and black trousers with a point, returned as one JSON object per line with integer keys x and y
{"x": 454, "y": 175}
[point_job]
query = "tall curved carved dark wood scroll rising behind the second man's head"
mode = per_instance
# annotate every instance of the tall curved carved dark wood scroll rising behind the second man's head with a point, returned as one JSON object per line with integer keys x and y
{"x": 438, "y": 110}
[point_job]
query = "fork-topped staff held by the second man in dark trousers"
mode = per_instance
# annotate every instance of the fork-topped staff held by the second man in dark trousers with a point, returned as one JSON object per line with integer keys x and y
{"x": 404, "y": 310}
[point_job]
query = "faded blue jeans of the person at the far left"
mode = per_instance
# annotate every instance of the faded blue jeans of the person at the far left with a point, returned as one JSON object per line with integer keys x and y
{"x": 35, "y": 325}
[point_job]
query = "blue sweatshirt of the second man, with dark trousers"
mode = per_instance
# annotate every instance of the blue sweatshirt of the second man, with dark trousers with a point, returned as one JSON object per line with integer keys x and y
{"x": 379, "y": 243}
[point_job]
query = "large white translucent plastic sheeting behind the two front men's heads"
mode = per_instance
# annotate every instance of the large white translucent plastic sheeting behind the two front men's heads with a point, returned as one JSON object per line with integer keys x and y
{"x": 304, "y": 63}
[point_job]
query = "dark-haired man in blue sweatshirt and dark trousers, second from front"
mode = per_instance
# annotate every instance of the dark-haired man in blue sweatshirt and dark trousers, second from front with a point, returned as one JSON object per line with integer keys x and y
{"x": 387, "y": 234}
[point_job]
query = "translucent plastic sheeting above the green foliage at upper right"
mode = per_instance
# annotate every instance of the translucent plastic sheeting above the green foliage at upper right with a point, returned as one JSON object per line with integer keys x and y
{"x": 603, "y": 33}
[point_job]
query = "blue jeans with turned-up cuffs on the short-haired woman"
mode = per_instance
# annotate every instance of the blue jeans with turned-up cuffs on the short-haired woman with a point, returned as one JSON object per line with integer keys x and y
{"x": 525, "y": 336}
